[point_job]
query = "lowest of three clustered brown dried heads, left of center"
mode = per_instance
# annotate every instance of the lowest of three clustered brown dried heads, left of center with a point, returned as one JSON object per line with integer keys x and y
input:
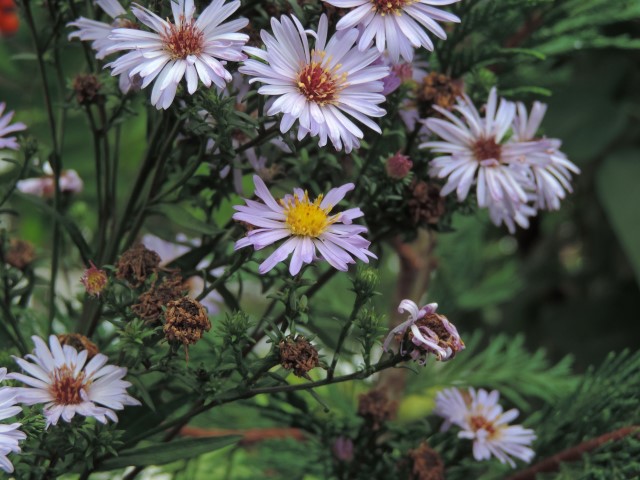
{"x": 185, "y": 322}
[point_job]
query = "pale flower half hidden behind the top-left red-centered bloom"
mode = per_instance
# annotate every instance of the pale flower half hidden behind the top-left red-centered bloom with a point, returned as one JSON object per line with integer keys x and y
{"x": 98, "y": 34}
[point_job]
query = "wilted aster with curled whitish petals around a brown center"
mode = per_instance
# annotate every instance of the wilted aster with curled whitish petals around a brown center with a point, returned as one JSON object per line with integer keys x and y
{"x": 428, "y": 332}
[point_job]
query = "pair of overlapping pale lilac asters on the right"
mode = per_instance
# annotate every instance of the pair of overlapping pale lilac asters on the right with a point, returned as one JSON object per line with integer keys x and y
{"x": 514, "y": 172}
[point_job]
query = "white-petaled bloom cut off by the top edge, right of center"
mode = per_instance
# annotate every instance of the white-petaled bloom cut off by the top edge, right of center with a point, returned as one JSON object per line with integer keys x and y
{"x": 398, "y": 26}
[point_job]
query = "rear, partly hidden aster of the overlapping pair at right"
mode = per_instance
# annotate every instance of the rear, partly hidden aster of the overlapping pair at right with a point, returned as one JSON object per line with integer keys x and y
{"x": 550, "y": 167}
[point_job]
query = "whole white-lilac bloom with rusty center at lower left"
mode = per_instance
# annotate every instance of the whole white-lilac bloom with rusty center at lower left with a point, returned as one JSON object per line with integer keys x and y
{"x": 62, "y": 379}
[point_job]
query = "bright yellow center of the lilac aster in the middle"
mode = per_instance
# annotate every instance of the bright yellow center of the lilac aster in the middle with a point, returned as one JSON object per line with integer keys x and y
{"x": 306, "y": 218}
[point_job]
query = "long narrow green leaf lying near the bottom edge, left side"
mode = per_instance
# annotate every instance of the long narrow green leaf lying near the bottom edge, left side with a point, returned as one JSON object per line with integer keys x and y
{"x": 162, "y": 453}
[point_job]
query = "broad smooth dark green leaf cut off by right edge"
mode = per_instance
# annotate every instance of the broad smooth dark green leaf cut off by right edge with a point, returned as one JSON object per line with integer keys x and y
{"x": 617, "y": 187}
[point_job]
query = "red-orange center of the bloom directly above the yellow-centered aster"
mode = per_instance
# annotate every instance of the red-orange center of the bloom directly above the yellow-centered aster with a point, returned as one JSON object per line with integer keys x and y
{"x": 319, "y": 83}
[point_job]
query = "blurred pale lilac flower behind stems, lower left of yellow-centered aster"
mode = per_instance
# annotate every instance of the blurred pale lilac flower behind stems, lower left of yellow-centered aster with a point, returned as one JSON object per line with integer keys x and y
{"x": 169, "y": 251}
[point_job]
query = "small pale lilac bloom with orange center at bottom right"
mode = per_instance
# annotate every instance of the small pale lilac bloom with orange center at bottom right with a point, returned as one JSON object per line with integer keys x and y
{"x": 482, "y": 420}
